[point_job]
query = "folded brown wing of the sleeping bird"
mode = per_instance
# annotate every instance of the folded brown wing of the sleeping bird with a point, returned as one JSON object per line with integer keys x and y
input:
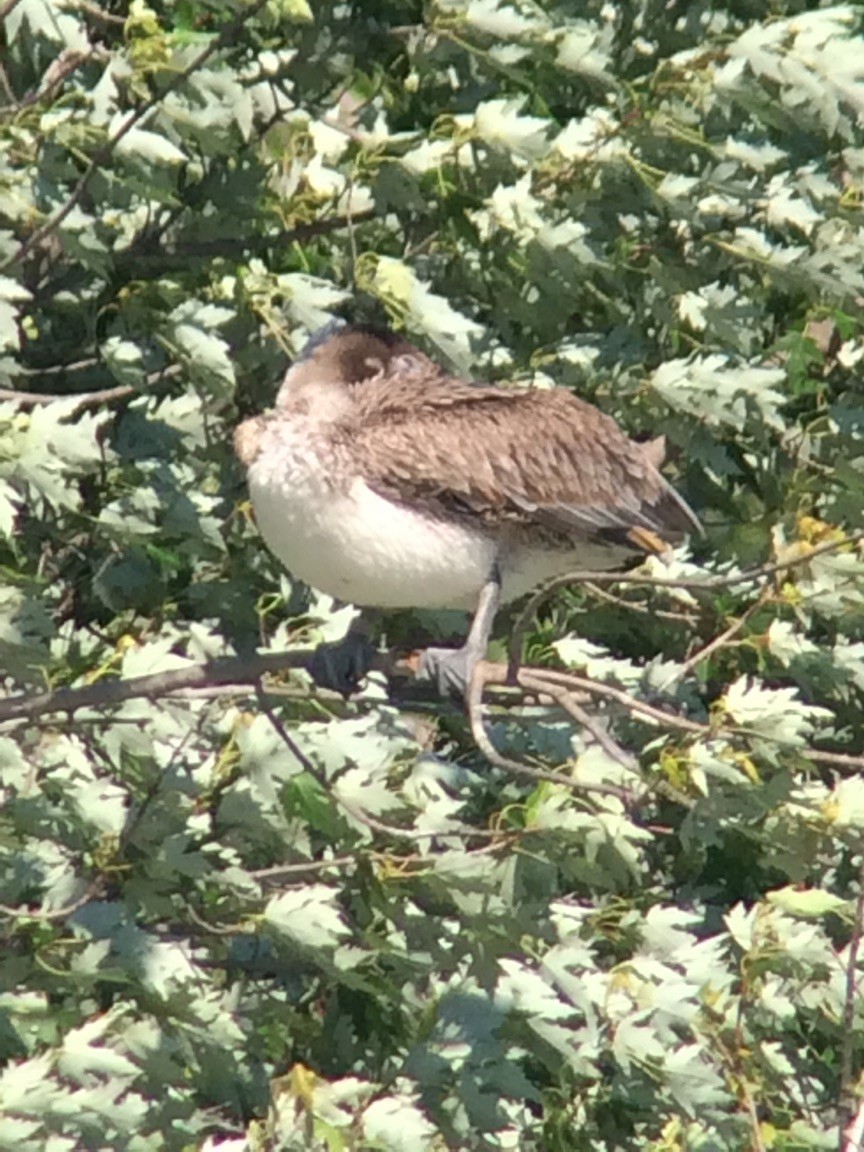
{"x": 513, "y": 458}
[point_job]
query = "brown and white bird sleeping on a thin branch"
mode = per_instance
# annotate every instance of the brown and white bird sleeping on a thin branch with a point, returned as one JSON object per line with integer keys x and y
{"x": 385, "y": 481}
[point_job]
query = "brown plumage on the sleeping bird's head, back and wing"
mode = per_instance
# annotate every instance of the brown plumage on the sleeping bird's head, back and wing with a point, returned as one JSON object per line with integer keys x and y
{"x": 516, "y": 461}
